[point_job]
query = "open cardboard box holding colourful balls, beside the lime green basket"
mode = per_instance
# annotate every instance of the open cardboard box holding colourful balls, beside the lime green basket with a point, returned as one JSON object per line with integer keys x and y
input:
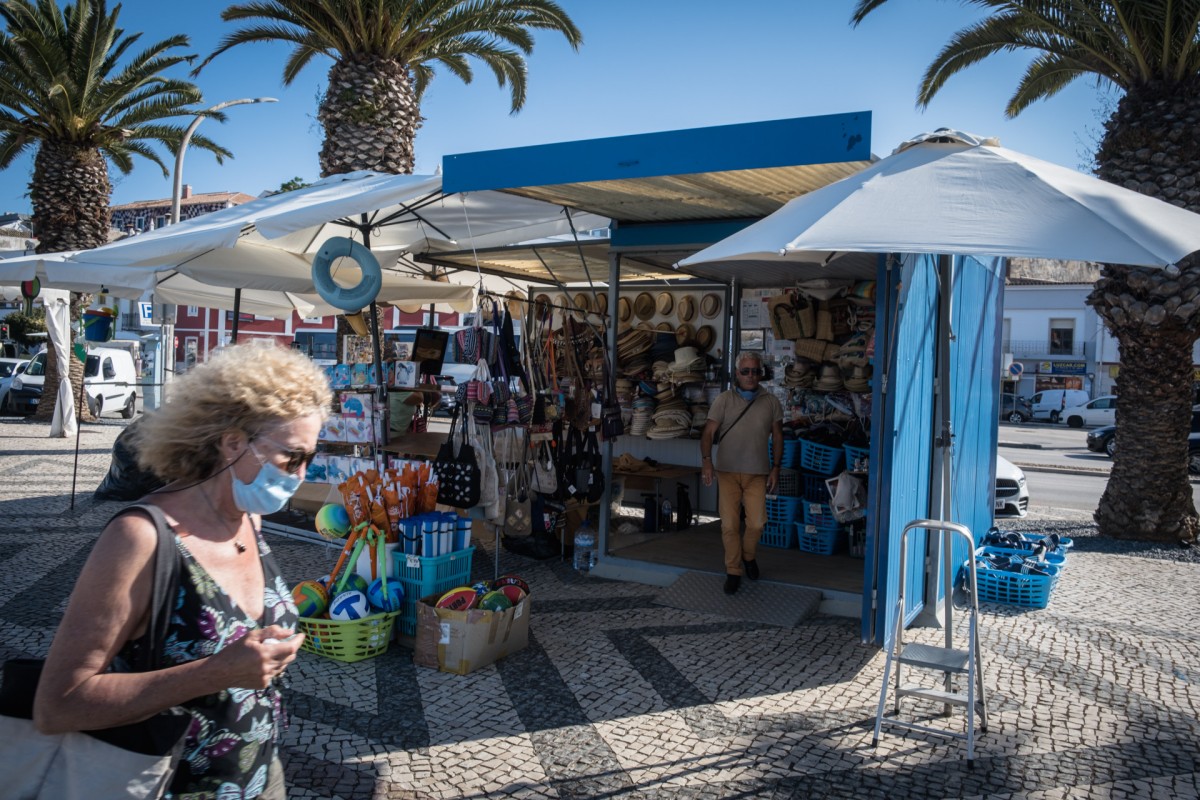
{"x": 461, "y": 642}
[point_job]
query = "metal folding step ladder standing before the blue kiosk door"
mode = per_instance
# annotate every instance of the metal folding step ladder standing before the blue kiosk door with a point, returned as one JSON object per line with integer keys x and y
{"x": 949, "y": 660}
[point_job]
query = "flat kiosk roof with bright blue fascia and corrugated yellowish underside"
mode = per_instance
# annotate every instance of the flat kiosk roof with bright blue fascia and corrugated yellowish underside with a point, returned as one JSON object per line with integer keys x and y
{"x": 729, "y": 172}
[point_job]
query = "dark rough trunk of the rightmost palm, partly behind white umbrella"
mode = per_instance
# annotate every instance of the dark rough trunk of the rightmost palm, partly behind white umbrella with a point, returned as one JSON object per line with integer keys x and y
{"x": 1155, "y": 315}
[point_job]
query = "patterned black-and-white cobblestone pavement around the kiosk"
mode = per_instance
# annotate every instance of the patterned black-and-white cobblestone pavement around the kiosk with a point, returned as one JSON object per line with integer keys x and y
{"x": 616, "y": 696}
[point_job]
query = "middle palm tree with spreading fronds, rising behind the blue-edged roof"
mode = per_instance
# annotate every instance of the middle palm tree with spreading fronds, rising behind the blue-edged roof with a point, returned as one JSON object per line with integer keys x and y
{"x": 385, "y": 57}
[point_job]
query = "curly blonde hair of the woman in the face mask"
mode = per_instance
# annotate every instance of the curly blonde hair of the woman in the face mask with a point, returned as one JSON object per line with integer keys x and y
{"x": 242, "y": 388}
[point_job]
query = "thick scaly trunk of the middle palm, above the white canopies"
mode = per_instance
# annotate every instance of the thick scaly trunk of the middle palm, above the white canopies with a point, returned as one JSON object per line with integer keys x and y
{"x": 370, "y": 116}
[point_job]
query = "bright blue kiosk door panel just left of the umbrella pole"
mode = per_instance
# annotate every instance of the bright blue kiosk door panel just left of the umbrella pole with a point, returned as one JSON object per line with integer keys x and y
{"x": 902, "y": 440}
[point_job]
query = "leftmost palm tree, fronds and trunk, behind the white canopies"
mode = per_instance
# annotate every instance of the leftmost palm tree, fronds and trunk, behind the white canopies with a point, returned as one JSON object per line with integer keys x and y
{"x": 65, "y": 92}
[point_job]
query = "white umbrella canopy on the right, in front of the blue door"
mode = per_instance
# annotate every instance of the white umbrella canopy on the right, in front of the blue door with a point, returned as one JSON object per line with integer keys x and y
{"x": 951, "y": 193}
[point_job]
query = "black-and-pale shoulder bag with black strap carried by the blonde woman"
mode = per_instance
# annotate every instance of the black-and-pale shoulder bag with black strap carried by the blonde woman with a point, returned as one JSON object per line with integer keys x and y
{"x": 133, "y": 761}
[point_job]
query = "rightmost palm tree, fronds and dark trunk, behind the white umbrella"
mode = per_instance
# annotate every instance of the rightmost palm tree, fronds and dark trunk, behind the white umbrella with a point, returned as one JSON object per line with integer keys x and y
{"x": 1150, "y": 52}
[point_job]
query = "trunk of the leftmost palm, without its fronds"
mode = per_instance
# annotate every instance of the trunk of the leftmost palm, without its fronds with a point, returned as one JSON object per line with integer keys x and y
{"x": 70, "y": 195}
